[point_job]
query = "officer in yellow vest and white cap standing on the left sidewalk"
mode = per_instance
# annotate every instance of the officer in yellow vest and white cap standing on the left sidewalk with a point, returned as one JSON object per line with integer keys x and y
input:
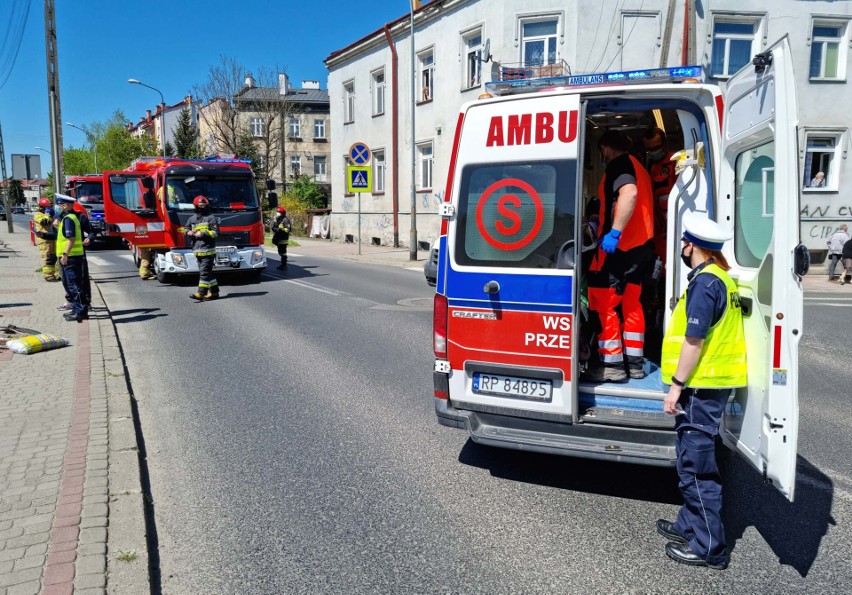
{"x": 69, "y": 250}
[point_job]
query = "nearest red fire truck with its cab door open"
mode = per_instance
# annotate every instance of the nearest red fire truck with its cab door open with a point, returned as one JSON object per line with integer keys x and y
{"x": 149, "y": 203}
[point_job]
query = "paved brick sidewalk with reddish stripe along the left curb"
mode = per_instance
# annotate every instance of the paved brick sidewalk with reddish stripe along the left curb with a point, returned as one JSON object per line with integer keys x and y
{"x": 71, "y": 506}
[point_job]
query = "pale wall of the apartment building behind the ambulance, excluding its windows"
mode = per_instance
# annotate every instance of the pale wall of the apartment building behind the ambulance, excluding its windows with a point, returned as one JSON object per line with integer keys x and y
{"x": 593, "y": 36}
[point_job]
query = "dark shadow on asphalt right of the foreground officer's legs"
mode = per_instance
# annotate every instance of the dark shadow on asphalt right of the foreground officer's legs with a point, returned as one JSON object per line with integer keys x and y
{"x": 794, "y": 530}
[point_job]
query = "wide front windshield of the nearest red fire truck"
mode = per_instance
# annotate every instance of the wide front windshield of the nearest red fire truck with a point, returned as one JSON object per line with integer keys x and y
{"x": 224, "y": 193}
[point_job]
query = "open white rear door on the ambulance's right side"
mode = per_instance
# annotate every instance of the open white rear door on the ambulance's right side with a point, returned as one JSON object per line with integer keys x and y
{"x": 759, "y": 192}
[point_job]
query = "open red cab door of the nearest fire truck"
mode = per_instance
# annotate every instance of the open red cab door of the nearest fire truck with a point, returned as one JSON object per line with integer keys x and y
{"x": 129, "y": 214}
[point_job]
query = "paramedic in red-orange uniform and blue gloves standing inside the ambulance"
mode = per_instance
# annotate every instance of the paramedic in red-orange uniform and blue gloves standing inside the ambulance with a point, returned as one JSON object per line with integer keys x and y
{"x": 626, "y": 226}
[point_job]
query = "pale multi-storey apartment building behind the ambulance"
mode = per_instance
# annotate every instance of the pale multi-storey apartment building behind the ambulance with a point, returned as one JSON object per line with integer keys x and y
{"x": 459, "y": 45}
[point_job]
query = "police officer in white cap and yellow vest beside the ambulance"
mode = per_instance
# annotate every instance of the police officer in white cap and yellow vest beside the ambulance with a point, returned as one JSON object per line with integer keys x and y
{"x": 703, "y": 359}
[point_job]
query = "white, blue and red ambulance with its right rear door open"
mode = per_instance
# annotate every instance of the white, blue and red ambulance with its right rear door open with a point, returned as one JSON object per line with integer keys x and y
{"x": 512, "y": 330}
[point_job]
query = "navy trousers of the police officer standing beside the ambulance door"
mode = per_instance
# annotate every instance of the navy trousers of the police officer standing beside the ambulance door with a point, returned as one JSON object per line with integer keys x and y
{"x": 699, "y": 520}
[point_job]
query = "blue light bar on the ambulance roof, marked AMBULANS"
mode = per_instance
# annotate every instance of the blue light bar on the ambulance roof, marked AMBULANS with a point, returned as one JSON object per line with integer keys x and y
{"x": 677, "y": 74}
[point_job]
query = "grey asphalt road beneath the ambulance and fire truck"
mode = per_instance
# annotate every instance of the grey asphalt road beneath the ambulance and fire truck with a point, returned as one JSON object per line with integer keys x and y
{"x": 292, "y": 447}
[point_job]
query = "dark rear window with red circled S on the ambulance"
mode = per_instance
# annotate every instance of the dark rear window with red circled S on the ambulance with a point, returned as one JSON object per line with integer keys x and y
{"x": 515, "y": 214}
